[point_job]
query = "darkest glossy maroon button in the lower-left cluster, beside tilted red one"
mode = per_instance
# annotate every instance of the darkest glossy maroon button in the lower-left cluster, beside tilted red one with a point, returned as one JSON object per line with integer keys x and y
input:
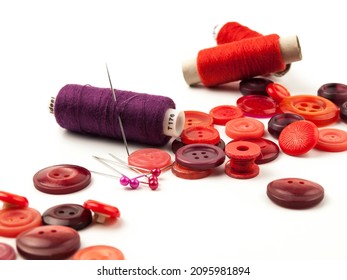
{"x": 70, "y": 215}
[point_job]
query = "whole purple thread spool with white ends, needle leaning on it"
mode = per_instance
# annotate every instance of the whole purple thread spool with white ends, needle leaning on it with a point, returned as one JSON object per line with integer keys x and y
{"x": 146, "y": 118}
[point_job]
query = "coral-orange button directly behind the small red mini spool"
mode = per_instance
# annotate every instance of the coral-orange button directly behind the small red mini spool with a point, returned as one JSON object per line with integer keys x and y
{"x": 244, "y": 128}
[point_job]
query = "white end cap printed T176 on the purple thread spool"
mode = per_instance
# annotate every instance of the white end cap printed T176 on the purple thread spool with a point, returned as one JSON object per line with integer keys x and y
{"x": 173, "y": 123}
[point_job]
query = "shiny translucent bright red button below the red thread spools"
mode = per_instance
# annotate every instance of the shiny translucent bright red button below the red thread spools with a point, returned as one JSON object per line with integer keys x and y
{"x": 257, "y": 106}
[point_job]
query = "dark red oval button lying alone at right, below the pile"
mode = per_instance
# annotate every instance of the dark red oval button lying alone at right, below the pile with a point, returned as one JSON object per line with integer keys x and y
{"x": 295, "y": 193}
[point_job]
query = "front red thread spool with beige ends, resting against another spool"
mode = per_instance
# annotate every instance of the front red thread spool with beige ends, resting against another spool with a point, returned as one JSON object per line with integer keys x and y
{"x": 241, "y": 59}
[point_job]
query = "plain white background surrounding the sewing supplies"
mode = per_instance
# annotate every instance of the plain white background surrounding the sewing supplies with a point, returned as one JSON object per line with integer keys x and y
{"x": 45, "y": 45}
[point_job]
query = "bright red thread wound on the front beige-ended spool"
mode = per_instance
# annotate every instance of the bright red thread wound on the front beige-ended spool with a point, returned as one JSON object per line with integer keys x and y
{"x": 240, "y": 60}
